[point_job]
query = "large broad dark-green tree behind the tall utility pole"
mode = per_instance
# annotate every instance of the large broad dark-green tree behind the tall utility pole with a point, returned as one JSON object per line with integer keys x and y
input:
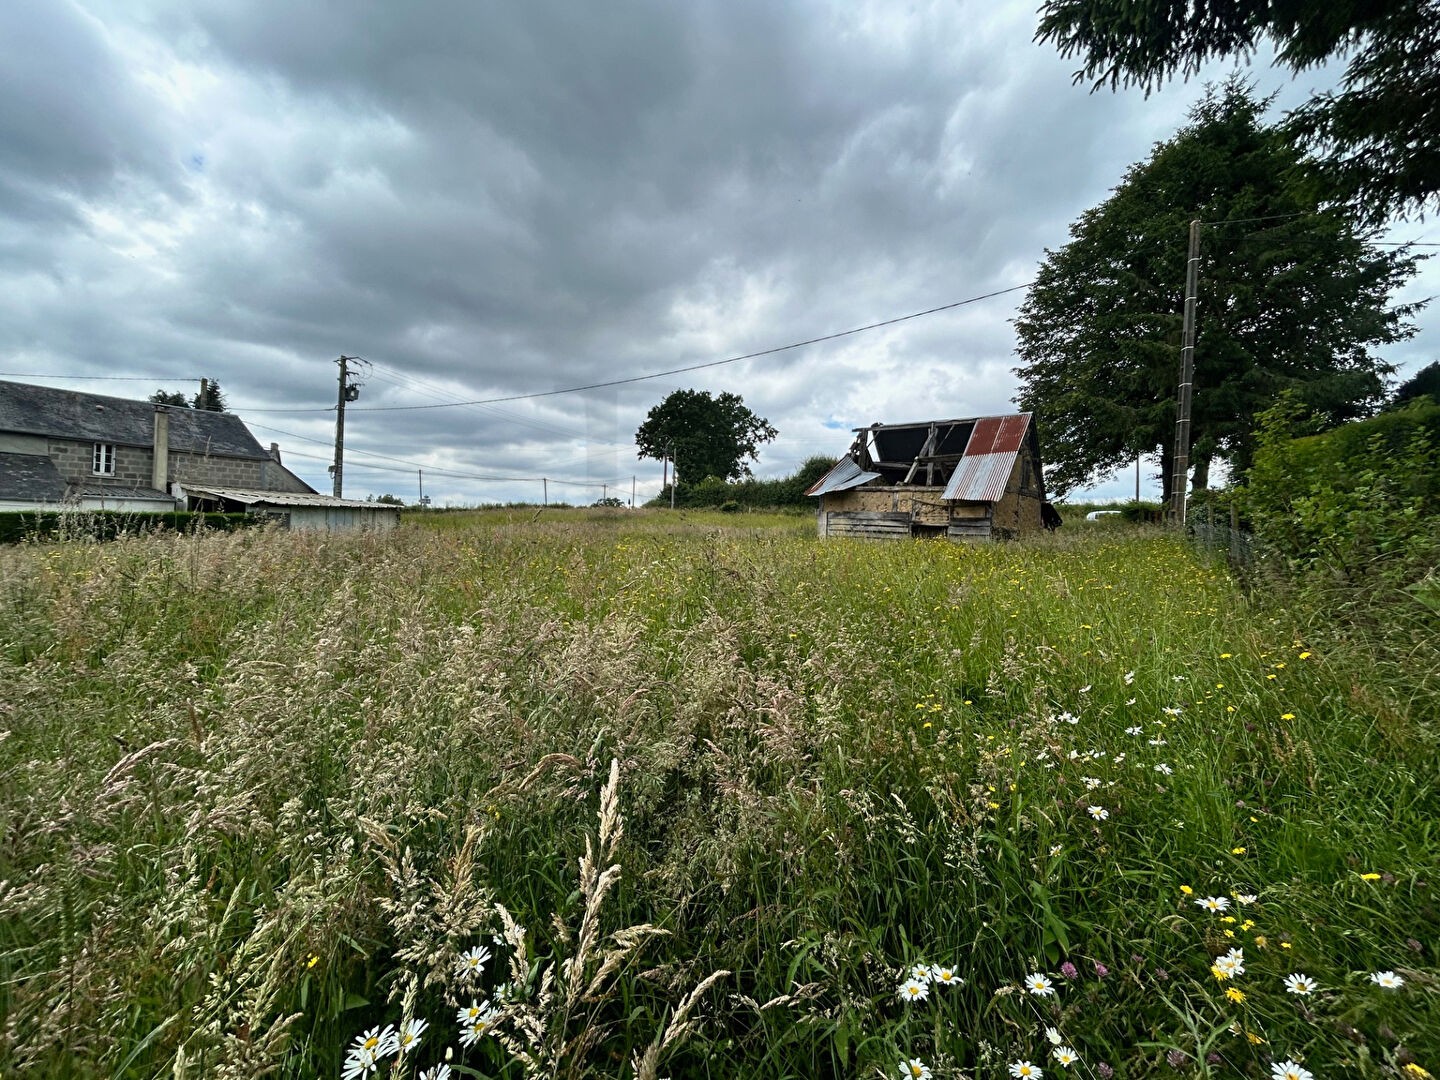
{"x": 1291, "y": 296}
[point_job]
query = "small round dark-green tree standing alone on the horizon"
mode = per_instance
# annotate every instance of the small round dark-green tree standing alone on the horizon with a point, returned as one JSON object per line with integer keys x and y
{"x": 703, "y": 436}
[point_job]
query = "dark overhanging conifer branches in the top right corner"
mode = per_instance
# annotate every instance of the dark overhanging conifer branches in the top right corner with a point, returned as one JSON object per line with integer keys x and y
{"x": 1377, "y": 136}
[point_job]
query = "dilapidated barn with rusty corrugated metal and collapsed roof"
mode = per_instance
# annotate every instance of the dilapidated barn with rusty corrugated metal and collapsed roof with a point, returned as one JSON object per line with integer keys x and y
{"x": 973, "y": 479}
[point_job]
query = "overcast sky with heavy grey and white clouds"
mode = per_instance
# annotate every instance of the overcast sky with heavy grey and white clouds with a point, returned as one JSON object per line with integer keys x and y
{"x": 489, "y": 201}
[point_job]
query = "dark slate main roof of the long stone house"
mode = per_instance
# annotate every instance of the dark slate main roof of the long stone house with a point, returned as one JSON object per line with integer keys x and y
{"x": 96, "y": 418}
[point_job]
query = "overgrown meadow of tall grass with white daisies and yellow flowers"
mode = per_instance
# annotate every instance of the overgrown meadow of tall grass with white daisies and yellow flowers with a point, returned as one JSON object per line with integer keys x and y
{"x": 636, "y": 796}
